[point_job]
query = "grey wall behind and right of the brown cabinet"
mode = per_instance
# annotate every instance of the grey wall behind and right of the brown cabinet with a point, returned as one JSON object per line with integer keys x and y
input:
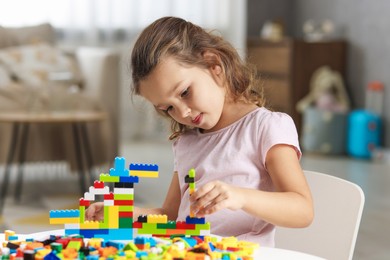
{"x": 364, "y": 23}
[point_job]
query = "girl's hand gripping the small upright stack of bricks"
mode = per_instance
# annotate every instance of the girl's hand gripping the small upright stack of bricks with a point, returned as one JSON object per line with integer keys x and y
{"x": 214, "y": 196}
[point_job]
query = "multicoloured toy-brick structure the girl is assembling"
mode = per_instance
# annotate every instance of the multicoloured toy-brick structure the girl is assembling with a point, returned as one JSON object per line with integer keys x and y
{"x": 118, "y": 222}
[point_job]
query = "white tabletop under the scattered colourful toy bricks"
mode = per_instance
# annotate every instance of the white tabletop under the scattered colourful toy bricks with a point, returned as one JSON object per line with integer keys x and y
{"x": 262, "y": 253}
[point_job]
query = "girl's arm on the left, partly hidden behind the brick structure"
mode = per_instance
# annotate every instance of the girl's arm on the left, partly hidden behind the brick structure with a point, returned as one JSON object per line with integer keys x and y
{"x": 170, "y": 206}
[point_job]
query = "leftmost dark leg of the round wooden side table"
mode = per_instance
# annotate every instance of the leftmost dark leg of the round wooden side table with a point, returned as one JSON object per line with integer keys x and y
{"x": 12, "y": 148}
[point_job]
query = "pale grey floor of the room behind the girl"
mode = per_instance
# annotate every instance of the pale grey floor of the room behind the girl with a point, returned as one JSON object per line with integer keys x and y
{"x": 41, "y": 194}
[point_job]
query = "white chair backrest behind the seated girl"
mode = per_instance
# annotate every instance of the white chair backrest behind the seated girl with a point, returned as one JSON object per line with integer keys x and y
{"x": 338, "y": 206}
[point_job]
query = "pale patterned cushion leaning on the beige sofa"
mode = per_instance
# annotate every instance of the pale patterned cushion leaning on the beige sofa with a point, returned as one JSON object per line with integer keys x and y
{"x": 39, "y": 64}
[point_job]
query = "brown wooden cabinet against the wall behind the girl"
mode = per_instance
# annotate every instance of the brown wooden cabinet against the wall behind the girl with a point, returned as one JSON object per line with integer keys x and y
{"x": 285, "y": 68}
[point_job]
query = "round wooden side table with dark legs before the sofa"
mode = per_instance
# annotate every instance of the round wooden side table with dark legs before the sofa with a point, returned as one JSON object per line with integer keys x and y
{"x": 21, "y": 121}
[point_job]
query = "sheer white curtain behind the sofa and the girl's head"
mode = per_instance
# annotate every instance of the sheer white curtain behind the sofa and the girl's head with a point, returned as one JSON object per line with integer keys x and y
{"x": 115, "y": 24}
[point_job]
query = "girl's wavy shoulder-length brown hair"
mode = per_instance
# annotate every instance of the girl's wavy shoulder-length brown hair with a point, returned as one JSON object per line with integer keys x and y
{"x": 186, "y": 42}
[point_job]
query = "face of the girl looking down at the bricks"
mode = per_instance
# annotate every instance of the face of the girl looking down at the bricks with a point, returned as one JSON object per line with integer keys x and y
{"x": 192, "y": 96}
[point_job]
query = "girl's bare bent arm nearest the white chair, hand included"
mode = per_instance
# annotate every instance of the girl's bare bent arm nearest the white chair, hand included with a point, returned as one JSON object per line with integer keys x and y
{"x": 290, "y": 205}
